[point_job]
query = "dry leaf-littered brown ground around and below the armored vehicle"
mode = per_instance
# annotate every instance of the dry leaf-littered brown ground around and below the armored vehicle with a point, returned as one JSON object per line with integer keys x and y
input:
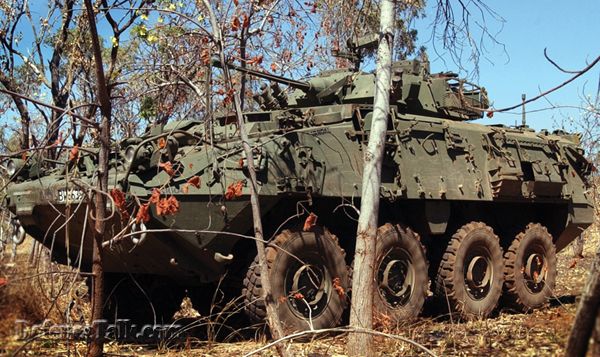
{"x": 540, "y": 333}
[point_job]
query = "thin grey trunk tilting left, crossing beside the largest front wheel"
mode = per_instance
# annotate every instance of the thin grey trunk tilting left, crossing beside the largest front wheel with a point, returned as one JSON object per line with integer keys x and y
{"x": 271, "y": 304}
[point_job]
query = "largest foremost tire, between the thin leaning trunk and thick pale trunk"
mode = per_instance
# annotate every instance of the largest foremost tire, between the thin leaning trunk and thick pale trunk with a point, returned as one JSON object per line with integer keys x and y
{"x": 324, "y": 263}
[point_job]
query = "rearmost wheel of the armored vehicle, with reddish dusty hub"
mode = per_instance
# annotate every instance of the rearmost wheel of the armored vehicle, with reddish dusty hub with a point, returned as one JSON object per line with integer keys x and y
{"x": 530, "y": 269}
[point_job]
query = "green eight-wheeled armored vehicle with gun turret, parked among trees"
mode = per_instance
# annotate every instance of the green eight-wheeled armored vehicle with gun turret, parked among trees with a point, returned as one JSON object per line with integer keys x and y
{"x": 468, "y": 211}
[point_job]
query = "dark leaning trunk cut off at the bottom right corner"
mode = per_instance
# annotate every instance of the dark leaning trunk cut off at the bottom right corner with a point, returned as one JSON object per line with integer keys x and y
{"x": 587, "y": 313}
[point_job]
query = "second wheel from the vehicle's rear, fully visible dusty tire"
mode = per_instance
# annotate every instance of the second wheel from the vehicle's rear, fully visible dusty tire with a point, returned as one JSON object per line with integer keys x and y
{"x": 470, "y": 276}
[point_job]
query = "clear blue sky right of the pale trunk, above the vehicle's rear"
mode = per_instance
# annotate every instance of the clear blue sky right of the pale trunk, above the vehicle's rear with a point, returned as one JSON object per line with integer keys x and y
{"x": 570, "y": 30}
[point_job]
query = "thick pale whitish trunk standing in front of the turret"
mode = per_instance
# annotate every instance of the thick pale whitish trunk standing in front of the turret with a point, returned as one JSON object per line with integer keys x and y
{"x": 361, "y": 314}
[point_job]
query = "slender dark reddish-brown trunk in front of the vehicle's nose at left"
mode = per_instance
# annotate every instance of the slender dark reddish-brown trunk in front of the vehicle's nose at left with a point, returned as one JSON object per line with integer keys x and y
{"x": 97, "y": 339}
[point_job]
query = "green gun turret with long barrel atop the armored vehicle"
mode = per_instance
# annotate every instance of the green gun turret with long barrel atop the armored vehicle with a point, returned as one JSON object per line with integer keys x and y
{"x": 414, "y": 90}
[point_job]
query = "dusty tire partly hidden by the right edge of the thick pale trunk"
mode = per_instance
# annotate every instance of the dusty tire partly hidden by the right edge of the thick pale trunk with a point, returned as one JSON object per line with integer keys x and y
{"x": 401, "y": 257}
